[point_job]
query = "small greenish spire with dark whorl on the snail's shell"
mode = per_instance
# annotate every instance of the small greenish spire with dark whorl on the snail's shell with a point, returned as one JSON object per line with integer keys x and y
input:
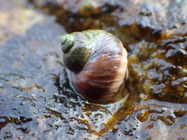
{"x": 77, "y": 49}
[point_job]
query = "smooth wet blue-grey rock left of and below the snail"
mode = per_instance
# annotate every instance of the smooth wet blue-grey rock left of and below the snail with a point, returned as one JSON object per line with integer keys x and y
{"x": 36, "y": 100}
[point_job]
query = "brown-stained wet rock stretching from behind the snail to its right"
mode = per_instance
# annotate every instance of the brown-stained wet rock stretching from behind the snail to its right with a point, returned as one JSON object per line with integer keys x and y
{"x": 144, "y": 27}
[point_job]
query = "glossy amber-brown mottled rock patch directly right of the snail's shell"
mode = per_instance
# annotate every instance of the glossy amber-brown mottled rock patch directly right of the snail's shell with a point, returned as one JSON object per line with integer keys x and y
{"x": 159, "y": 71}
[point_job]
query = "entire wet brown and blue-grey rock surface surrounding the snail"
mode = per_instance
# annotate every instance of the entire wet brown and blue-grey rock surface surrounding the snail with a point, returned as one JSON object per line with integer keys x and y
{"x": 36, "y": 101}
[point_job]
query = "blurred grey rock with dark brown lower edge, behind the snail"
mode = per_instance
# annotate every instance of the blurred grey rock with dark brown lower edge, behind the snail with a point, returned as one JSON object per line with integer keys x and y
{"x": 130, "y": 20}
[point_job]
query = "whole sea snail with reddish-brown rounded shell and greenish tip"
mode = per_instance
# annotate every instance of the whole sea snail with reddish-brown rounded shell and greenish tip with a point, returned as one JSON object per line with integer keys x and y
{"x": 97, "y": 62}
